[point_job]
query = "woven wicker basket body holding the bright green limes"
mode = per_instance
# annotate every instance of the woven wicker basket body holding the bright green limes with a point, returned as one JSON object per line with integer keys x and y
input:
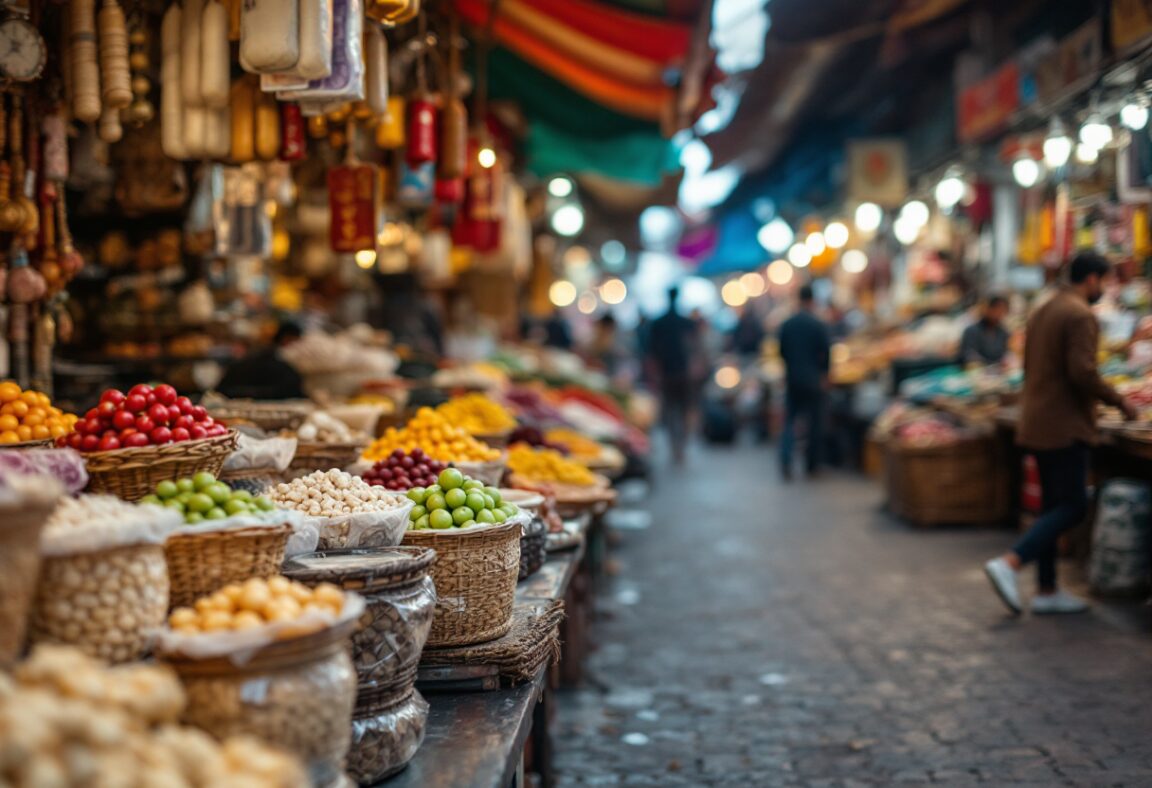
{"x": 475, "y": 581}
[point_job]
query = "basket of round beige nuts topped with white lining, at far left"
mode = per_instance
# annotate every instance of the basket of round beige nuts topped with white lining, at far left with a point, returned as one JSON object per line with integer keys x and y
{"x": 104, "y": 584}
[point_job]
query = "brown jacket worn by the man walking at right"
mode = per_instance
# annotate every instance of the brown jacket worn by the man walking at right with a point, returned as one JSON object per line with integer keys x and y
{"x": 1062, "y": 382}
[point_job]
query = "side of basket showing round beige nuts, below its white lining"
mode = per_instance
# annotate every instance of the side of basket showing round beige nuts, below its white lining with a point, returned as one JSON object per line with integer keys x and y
{"x": 105, "y": 603}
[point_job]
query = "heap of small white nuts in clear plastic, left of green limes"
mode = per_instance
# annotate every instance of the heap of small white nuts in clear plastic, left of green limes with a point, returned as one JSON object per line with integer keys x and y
{"x": 347, "y": 511}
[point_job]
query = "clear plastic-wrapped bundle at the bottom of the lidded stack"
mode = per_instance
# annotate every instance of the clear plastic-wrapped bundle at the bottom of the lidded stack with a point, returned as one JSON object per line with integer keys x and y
{"x": 386, "y": 734}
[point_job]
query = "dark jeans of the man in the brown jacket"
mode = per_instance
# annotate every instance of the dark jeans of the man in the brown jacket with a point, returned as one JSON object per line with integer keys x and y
{"x": 1064, "y": 483}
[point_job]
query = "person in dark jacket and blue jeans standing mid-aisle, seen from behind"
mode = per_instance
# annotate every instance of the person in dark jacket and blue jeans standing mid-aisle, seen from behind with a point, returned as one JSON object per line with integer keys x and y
{"x": 806, "y": 350}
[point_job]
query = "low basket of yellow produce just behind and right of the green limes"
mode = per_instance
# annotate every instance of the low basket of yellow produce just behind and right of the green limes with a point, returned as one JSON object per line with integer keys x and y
{"x": 575, "y": 488}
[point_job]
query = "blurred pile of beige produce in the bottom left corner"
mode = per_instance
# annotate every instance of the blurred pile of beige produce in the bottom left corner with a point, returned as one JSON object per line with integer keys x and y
{"x": 69, "y": 721}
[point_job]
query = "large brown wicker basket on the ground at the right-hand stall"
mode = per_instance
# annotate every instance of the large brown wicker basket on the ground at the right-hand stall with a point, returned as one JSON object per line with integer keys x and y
{"x": 964, "y": 482}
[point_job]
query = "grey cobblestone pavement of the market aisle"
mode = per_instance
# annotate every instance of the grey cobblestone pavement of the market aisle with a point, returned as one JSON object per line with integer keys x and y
{"x": 760, "y": 634}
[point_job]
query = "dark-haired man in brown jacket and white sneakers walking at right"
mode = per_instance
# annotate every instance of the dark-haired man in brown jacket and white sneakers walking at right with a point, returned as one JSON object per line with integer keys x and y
{"x": 1058, "y": 425}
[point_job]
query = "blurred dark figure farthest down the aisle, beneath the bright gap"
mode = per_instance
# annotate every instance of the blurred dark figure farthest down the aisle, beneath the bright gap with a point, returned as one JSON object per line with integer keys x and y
{"x": 673, "y": 358}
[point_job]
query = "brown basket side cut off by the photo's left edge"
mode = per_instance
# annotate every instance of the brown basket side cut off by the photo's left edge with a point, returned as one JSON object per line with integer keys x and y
{"x": 20, "y": 563}
